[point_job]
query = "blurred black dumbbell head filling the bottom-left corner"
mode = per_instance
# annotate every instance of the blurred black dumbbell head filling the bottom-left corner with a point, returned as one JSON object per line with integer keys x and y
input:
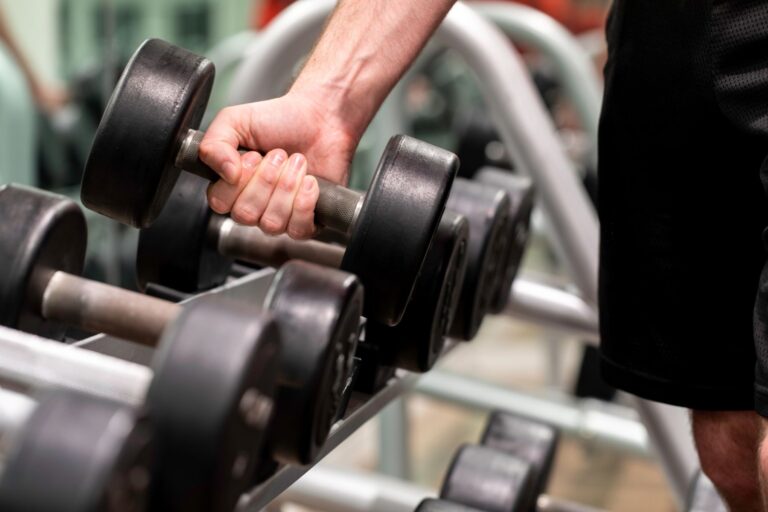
{"x": 78, "y": 453}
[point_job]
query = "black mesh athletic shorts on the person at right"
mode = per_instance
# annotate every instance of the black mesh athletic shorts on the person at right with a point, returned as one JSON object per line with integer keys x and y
{"x": 683, "y": 137}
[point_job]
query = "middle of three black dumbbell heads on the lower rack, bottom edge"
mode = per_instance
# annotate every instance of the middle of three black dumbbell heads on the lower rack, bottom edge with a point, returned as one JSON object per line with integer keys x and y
{"x": 487, "y": 479}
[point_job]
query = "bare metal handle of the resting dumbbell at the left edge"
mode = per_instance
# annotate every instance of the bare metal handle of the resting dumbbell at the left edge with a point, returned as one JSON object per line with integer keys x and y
{"x": 99, "y": 307}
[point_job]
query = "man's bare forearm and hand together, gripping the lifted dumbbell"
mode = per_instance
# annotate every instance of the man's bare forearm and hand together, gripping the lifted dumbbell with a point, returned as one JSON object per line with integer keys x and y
{"x": 314, "y": 129}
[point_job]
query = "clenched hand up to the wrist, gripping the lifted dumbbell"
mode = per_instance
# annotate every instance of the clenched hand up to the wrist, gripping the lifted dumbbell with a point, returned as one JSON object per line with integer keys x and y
{"x": 276, "y": 192}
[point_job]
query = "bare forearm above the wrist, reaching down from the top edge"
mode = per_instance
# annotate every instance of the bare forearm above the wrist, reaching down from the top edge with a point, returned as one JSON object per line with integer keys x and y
{"x": 364, "y": 50}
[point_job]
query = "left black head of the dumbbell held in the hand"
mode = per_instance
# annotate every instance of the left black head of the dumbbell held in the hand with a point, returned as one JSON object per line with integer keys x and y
{"x": 161, "y": 94}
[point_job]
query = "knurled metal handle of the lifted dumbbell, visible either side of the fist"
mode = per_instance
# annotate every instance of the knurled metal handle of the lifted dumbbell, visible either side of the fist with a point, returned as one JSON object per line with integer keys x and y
{"x": 337, "y": 207}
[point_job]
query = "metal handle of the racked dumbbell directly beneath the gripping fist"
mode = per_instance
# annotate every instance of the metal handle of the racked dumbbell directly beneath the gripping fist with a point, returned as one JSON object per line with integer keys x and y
{"x": 252, "y": 245}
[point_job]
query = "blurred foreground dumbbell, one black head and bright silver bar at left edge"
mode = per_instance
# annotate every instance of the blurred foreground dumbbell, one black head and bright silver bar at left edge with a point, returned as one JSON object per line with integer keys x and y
{"x": 209, "y": 397}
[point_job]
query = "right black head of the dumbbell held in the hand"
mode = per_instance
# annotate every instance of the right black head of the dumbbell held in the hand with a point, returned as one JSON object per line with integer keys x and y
{"x": 397, "y": 222}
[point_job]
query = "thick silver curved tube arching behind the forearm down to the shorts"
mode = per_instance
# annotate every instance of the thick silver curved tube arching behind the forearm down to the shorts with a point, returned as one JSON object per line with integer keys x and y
{"x": 514, "y": 103}
